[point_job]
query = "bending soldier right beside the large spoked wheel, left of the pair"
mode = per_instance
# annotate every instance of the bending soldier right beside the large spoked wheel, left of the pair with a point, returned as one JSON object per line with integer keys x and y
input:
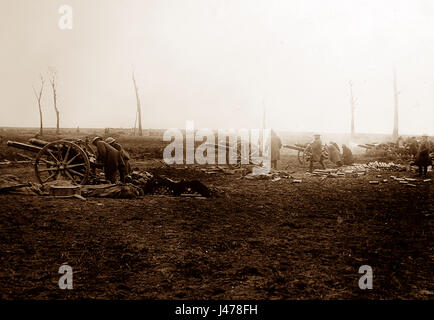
{"x": 109, "y": 158}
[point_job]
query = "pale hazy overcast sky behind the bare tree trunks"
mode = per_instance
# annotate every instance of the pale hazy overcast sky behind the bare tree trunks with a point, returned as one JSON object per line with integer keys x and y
{"x": 217, "y": 62}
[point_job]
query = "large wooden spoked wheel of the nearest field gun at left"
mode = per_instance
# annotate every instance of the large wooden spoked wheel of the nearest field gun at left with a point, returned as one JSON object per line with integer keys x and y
{"x": 62, "y": 160}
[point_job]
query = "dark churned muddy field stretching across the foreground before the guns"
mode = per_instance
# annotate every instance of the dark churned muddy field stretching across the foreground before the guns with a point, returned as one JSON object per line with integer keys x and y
{"x": 256, "y": 239}
